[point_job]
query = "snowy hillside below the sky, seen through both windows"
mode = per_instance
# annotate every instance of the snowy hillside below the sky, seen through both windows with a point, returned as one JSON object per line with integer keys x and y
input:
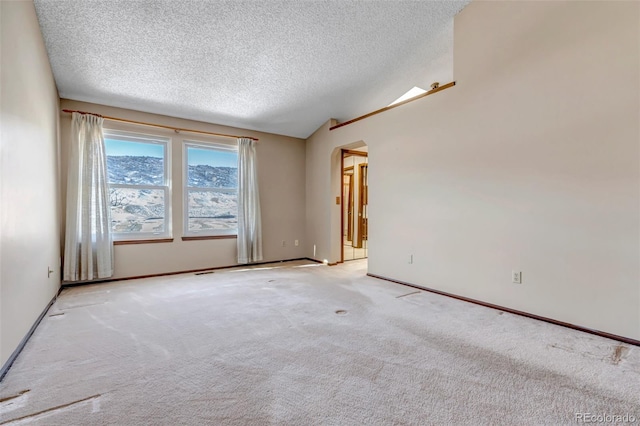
{"x": 143, "y": 210}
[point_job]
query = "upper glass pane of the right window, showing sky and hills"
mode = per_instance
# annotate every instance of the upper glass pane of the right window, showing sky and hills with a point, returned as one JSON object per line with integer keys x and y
{"x": 212, "y": 168}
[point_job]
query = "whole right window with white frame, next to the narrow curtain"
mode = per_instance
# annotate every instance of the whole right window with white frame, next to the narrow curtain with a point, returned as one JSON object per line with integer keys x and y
{"x": 211, "y": 189}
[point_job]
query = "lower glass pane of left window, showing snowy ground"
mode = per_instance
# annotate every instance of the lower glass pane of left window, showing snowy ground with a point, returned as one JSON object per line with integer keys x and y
{"x": 137, "y": 210}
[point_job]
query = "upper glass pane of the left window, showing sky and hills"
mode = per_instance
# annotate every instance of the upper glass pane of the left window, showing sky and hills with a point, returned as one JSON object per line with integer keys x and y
{"x": 134, "y": 163}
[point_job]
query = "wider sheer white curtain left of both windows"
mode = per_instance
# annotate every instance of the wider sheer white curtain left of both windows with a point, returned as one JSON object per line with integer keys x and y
{"x": 88, "y": 248}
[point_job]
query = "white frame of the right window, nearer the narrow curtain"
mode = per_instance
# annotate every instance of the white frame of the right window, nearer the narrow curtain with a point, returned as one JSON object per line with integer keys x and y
{"x": 203, "y": 234}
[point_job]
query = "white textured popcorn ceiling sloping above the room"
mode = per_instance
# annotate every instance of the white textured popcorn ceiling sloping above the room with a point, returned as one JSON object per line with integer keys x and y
{"x": 277, "y": 66}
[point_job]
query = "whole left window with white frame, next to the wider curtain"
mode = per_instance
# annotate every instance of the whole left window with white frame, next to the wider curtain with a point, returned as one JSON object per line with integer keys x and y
{"x": 138, "y": 171}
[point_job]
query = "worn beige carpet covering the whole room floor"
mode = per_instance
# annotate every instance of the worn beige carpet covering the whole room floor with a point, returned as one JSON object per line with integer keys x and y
{"x": 305, "y": 344}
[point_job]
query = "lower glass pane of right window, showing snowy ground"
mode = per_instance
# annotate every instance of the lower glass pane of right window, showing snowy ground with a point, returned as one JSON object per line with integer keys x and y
{"x": 212, "y": 210}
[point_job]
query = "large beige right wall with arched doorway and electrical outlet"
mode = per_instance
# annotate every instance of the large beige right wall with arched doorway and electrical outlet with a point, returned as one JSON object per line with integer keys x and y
{"x": 530, "y": 163}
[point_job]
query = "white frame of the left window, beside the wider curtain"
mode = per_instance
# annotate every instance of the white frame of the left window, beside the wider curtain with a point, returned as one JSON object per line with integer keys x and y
{"x": 165, "y": 142}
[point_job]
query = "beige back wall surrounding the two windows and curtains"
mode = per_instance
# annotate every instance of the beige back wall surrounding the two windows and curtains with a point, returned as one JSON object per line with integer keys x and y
{"x": 281, "y": 172}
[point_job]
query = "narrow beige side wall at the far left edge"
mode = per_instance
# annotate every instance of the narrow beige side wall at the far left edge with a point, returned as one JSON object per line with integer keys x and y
{"x": 29, "y": 208}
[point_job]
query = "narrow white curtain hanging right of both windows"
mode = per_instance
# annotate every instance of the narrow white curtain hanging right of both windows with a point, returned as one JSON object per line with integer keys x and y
{"x": 249, "y": 222}
